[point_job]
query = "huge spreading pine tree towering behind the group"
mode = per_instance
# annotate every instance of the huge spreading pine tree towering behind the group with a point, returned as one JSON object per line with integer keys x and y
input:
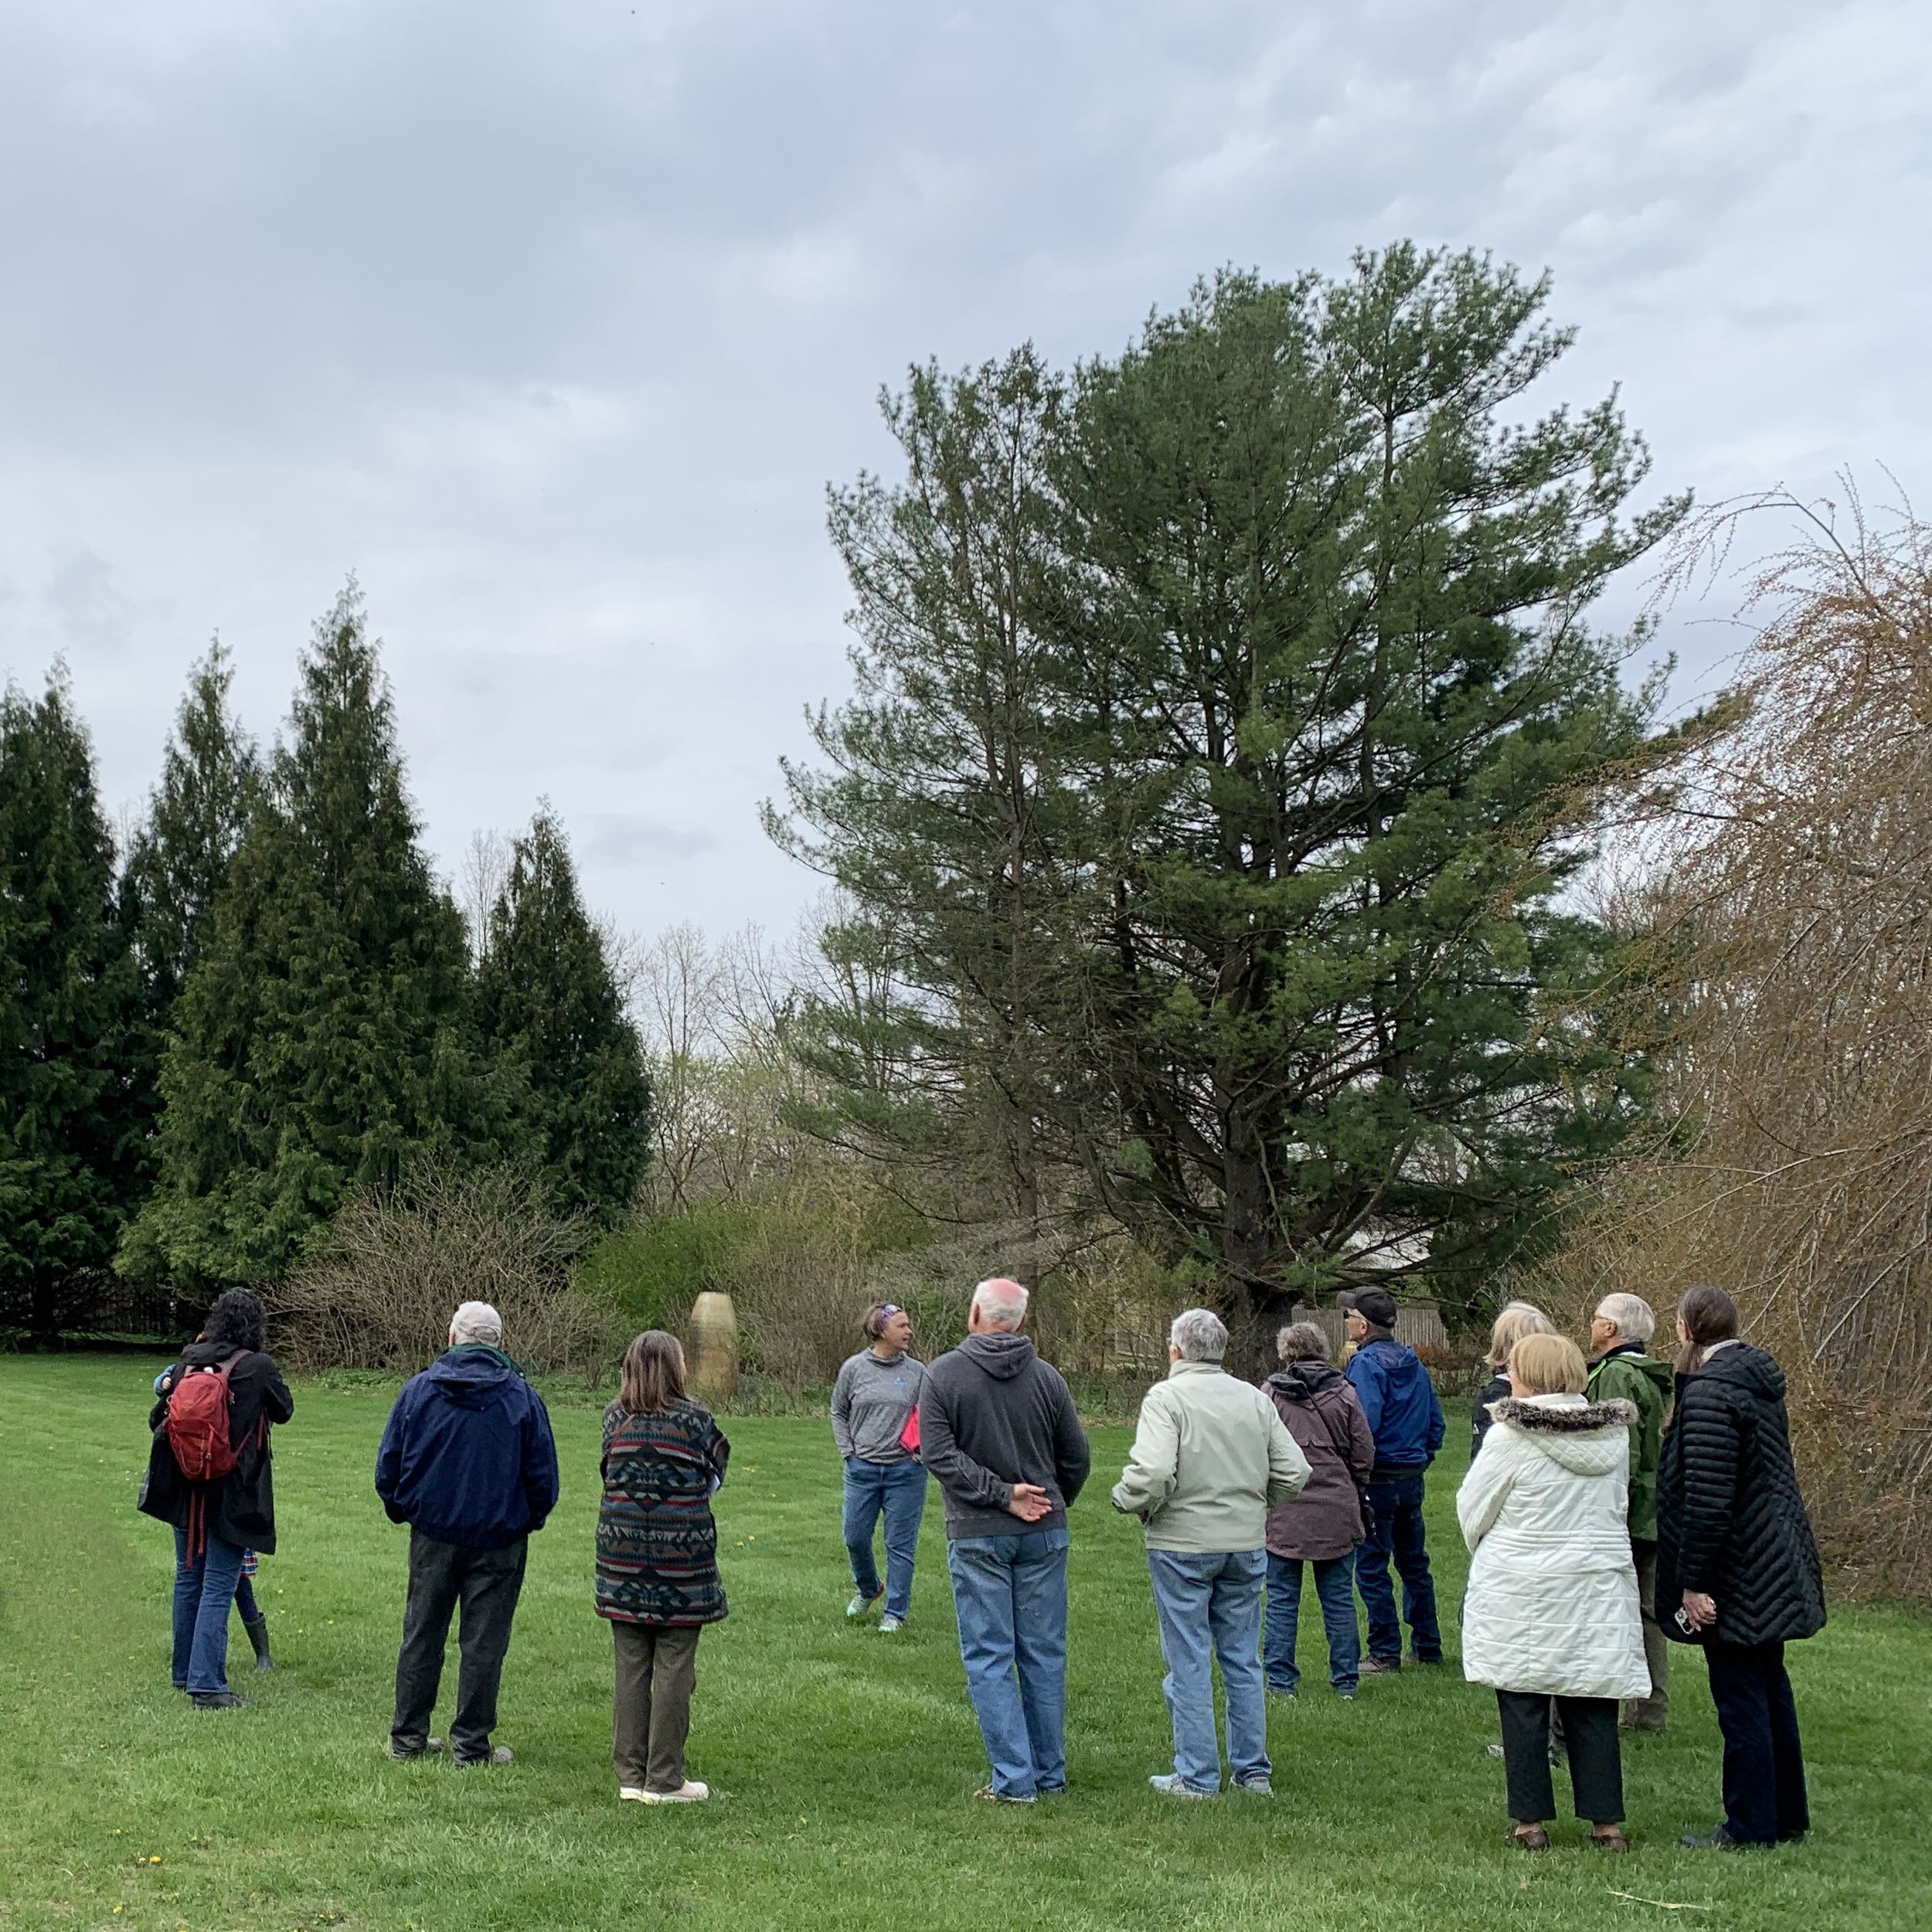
{"x": 1222, "y": 766}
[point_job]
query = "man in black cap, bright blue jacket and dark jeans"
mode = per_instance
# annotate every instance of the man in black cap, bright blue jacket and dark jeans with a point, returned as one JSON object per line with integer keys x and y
{"x": 1407, "y": 1423}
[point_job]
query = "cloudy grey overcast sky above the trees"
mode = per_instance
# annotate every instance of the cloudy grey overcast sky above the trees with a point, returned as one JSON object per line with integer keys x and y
{"x": 552, "y": 322}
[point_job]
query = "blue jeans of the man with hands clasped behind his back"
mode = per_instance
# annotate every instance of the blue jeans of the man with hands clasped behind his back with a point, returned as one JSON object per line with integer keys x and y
{"x": 1011, "y": 1601}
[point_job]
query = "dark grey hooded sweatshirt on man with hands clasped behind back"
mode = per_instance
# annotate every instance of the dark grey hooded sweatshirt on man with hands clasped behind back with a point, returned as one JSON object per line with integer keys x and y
{"x": 994, "y": 1415}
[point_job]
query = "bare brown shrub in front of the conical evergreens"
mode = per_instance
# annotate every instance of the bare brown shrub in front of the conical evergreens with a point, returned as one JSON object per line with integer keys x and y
{"x": 401, "y": 1261}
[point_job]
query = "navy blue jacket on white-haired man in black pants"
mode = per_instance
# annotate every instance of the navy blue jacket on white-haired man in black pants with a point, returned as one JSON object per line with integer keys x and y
{"x": 469, "y": 1454}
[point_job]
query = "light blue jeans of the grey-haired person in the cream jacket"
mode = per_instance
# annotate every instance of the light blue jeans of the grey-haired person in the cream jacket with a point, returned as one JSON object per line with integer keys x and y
{"x": 1210, "y": 1606}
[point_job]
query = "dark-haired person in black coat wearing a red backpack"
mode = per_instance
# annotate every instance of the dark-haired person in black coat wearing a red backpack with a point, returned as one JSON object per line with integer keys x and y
{"x": 210, "y": 1475}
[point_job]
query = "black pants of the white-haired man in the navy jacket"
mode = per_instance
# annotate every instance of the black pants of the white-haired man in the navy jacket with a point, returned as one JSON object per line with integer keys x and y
{"x": 488, "y": 1585}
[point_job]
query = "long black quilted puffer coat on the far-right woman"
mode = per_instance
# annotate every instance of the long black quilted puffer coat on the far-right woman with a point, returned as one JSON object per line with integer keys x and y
{"x": 1730, "y": 1520}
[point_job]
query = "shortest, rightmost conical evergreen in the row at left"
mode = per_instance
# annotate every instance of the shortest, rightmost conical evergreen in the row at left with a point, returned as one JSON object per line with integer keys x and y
{"x": 552, "y": 1013}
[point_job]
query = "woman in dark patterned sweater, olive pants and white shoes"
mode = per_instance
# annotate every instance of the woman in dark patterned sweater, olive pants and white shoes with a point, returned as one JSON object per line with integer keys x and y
{"x": 658, "y": 1570}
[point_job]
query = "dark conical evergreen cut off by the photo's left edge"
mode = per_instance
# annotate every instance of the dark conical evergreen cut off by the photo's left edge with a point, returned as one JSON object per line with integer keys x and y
{"x": 71, "y": 1118}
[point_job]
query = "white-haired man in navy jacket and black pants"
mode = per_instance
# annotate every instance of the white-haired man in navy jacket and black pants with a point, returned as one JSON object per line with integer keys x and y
{"x": 470, "y": 1465}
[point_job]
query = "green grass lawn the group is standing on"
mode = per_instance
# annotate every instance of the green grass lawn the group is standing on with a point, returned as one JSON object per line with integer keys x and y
{"x": 843, "y": 1761}
